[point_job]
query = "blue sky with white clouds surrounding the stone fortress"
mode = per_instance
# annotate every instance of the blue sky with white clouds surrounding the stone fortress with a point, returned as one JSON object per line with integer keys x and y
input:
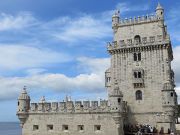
{"x": 58, "y": 47}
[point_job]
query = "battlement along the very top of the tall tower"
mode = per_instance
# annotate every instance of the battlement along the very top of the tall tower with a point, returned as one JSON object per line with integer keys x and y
{"x": 138, "y": 20}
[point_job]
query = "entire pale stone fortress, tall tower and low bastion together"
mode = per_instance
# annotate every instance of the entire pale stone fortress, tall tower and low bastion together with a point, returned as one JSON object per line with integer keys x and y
{"x": 139, "y": 82}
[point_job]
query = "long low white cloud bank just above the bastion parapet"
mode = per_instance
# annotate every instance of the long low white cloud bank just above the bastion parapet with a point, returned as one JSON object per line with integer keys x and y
{"x": 87, "y": 82}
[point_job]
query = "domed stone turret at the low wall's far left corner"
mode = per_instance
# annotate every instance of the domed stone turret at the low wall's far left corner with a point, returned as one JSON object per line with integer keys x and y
{"x": 23, "y": 106}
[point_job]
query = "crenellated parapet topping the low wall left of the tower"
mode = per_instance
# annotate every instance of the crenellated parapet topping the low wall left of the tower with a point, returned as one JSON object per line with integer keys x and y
{"x": 70, "y": 106}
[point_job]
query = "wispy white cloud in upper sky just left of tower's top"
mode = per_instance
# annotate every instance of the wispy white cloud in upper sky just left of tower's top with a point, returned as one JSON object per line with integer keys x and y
{"x": 83, "y": 28}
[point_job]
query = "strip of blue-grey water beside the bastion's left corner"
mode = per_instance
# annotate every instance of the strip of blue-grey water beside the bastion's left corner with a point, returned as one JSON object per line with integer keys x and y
{"x": 10, "y": 128}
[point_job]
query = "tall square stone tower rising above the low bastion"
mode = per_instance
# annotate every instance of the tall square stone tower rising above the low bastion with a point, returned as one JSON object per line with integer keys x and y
{"x": 141, "y": 55}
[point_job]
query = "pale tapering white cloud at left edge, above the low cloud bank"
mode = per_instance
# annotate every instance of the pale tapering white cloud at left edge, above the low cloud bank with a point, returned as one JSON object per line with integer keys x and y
{"x": 14, "y": 57}
